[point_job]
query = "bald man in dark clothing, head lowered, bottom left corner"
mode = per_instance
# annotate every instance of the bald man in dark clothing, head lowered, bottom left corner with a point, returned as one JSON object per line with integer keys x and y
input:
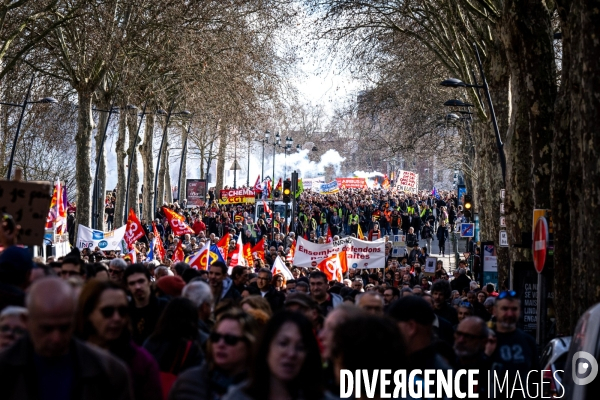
{"x": 50, "y": 363}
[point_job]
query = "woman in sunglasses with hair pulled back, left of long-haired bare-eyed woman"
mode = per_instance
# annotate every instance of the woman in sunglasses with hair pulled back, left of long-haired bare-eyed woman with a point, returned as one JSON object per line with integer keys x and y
{"x": 229, "y": 349}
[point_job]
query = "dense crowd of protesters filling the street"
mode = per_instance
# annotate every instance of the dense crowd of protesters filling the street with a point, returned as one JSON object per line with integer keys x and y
{"x": 95, "y": 325}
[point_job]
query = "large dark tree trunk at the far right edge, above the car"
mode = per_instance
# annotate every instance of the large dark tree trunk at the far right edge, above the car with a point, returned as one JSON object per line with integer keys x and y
{"x": 584, "y": 86}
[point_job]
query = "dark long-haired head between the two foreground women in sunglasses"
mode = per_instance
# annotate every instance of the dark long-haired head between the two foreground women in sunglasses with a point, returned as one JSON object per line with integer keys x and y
{"x": 175, "y": 343}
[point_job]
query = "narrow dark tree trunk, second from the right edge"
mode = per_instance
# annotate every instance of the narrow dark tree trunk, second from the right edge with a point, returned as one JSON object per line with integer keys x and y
{"x": 561, "y": 152}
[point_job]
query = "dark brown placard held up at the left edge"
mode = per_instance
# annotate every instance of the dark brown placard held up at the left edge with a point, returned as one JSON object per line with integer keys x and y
{"x": 28, "y": 204}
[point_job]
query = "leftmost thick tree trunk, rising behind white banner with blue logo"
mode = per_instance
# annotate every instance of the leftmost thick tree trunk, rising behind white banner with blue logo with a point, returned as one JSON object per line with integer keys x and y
{"x": 85, "y": 126}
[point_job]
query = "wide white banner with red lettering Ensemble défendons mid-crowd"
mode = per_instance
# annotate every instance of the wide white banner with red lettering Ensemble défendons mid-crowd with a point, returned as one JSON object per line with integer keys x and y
{"x": 359, "y": 253}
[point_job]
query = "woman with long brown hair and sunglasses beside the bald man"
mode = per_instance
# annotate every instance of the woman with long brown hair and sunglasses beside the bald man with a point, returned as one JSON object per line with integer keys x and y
{"x": 103, "y": 320}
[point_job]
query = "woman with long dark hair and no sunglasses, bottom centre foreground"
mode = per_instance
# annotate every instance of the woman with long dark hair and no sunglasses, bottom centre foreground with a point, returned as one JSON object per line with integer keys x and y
{"x": 287, "y": 363}
